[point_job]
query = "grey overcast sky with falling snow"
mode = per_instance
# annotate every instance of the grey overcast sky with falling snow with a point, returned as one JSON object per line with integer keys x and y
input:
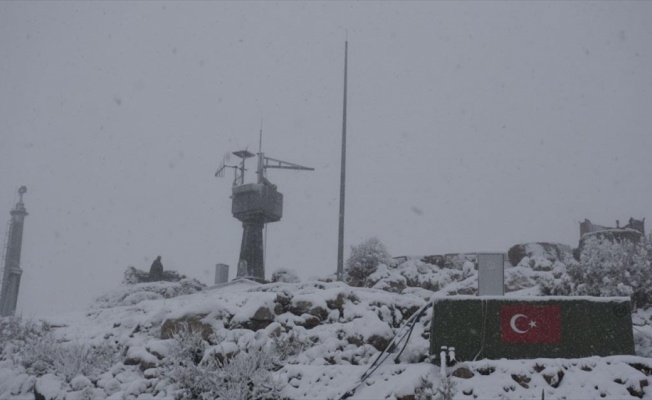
{"x": 472, "y": 126}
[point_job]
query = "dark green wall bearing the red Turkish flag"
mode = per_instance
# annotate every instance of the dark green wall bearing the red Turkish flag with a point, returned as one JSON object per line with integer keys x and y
{"x": 546, "y": 327}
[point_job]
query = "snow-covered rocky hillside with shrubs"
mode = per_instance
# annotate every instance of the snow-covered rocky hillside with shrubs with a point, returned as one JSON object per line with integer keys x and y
{"x": 310, "y": 340}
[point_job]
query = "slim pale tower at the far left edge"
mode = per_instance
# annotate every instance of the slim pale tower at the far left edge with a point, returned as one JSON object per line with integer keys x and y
{"x": 12, "y": 271}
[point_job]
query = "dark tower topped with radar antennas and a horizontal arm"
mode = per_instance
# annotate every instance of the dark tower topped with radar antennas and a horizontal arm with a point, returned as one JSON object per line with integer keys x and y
{"x": 255, "y": 204}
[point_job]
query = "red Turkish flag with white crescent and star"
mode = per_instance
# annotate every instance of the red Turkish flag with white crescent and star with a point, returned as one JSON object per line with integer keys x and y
{"x": 524, "y": 323}
